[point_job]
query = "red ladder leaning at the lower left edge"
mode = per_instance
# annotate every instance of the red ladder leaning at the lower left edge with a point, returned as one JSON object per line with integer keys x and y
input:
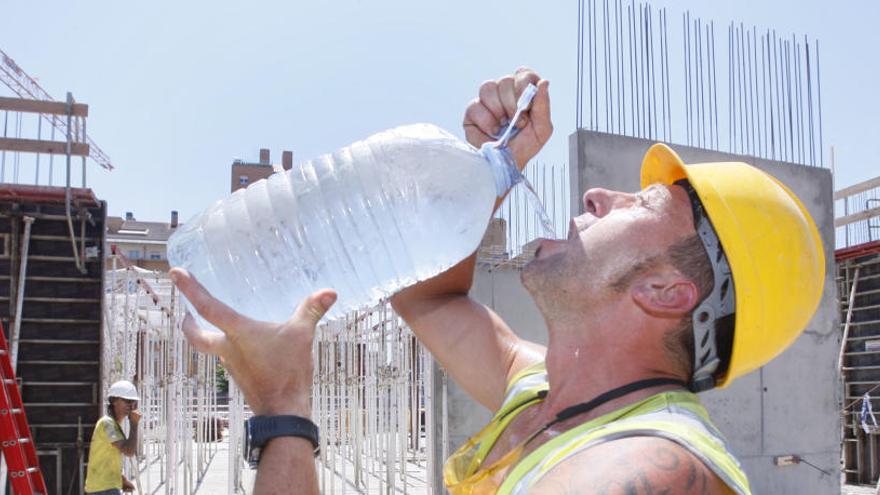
{"x": 15, "y": 436}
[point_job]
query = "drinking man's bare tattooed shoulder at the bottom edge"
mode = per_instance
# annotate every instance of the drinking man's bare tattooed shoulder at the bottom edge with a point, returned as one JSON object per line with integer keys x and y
{"x": 632, "y": 466}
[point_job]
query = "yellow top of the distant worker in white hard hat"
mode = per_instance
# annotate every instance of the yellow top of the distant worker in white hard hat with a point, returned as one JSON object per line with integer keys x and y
{"x": 105, "y": 460}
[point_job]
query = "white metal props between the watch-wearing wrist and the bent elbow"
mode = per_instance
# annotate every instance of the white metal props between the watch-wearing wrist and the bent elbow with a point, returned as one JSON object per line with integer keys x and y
{"x": 372, "y": 397}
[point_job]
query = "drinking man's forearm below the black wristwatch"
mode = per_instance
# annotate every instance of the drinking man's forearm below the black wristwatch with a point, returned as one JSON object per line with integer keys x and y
{"x": 287, "y": 465}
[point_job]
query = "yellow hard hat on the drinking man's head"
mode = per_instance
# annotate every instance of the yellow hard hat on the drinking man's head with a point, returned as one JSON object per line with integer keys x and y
{"x": 771, "y": 244}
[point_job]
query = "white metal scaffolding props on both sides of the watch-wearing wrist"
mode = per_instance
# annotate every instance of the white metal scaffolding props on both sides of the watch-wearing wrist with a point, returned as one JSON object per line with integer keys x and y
{"x": 371, "y": 395}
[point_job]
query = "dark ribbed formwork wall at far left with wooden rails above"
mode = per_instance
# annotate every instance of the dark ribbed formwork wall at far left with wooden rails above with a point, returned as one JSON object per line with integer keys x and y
{"x": 55, "y": 319}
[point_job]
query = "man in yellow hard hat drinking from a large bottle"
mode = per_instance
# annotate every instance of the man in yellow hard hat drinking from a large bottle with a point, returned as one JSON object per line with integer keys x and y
{"x": 652, "y": 296}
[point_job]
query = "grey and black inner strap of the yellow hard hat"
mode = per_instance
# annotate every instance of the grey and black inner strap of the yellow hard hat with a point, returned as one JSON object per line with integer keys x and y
{"x": 717, "y": 307}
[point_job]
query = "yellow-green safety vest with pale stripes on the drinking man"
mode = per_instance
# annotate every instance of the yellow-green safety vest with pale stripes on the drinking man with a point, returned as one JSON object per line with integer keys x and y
{"x": 677, "y": 416}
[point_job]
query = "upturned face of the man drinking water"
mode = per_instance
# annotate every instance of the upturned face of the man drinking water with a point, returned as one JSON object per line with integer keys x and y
{"x": 616, "y": 232}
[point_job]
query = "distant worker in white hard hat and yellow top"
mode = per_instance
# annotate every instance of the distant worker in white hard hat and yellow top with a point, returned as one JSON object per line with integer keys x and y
{"x": 109, "y": 443}
